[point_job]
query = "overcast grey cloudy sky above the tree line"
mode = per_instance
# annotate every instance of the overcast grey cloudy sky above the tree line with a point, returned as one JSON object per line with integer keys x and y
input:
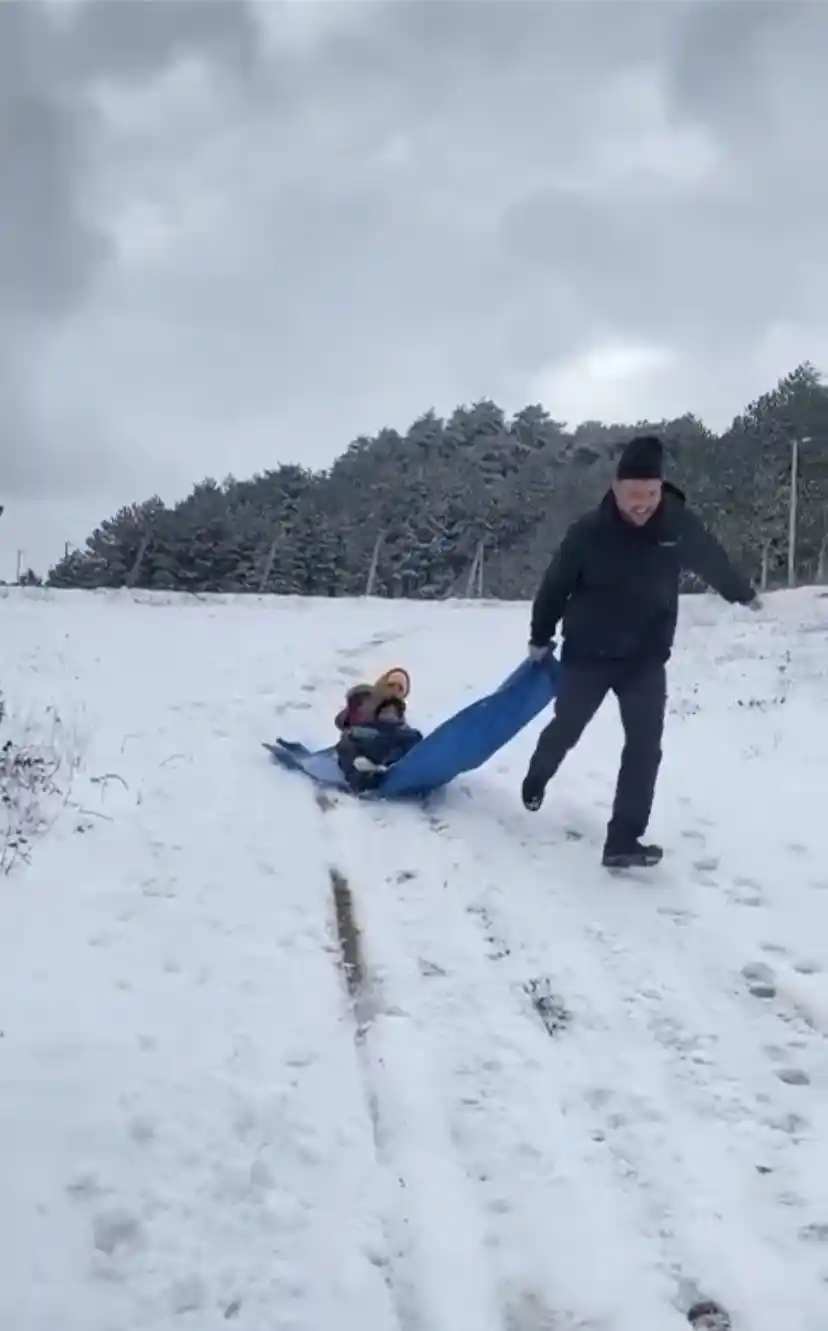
{"x": 239, "y": 235}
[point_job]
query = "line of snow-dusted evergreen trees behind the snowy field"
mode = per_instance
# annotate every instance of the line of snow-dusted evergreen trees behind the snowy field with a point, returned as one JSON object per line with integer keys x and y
{"x": 468, "y": 505}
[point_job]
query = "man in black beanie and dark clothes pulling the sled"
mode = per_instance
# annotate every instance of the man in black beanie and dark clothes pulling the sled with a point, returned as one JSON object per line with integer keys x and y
{"x": 614, "y": 584}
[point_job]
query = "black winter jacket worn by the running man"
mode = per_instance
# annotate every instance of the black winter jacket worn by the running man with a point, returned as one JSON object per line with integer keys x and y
{"x": 617, "y": 586}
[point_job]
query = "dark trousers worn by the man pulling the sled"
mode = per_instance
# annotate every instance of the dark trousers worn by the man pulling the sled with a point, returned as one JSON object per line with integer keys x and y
{"x": 642, "y": 697}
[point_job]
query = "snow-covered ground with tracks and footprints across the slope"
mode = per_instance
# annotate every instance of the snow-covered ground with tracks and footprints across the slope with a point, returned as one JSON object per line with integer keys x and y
{"x": 548, "y": 1099}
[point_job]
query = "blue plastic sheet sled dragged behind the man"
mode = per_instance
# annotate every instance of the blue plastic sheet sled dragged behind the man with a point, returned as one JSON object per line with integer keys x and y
{"x": 461, "y": 745}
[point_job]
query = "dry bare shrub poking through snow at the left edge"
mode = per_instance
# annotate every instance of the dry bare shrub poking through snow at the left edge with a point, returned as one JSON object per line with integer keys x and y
{"x": 35, "y": 777}
